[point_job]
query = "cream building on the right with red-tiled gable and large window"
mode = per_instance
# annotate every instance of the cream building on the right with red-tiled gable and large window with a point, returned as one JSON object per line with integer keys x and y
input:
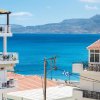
{"x": 90, "y": 76}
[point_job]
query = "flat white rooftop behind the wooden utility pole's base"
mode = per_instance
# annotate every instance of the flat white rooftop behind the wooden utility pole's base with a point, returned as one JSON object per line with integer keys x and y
{"x": 53, "y": 93}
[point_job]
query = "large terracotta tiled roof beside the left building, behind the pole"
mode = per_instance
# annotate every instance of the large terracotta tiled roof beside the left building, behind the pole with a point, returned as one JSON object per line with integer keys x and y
{"x": 30, "y": 82}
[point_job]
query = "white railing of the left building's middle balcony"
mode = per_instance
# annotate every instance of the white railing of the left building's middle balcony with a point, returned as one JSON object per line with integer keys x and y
{"x": 8, "y": 57}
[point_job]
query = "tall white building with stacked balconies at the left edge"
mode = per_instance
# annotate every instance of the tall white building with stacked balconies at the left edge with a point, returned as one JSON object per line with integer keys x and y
{"x": 7, "y": 59}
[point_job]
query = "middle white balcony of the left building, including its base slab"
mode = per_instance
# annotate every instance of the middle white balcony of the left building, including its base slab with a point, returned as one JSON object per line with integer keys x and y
{"x": 9, "y": 58}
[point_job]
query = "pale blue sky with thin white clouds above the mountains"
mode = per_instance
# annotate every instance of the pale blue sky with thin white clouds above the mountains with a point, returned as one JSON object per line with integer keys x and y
{"x": 39, "y": 12}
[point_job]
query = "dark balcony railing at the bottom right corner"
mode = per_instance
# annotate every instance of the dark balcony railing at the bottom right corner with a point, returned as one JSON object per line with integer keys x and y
{"x": 91, "y": 94}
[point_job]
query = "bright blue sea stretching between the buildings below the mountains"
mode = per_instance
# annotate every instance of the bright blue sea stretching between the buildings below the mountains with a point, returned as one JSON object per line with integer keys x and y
{"x": 33, "y": 48}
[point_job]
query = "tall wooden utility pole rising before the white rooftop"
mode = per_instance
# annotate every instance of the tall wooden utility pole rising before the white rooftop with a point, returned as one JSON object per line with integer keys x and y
{"x": 45, "y": 78}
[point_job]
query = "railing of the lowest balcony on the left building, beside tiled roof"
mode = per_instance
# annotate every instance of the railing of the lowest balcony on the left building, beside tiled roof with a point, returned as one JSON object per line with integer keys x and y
{"x": 9, "y": 84}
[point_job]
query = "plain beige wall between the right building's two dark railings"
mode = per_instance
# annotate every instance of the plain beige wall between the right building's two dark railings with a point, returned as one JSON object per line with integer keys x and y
{"x": 86, "y": 82}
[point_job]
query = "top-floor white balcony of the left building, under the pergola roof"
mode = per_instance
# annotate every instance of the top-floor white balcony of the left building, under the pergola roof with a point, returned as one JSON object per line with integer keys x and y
{"x": 5, "y": 30}
